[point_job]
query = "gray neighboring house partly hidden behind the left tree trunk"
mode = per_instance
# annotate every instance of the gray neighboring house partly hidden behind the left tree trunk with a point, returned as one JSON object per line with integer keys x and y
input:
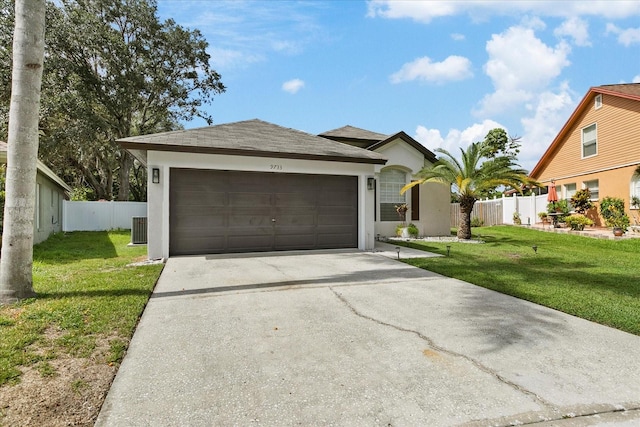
{"x": 51, "y": 190}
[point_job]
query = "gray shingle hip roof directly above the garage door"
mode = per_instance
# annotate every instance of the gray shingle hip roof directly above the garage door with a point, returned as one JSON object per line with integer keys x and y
{"x": 252, "y": 138}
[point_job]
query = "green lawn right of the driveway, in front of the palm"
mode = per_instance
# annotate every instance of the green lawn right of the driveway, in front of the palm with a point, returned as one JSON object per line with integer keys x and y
{"x": 595, "y": 279}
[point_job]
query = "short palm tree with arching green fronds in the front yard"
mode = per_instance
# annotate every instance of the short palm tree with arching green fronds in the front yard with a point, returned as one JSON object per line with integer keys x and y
{"x": 471, "y": 178}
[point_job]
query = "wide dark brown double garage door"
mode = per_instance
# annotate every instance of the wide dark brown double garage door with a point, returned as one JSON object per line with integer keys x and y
{"x": 215, "y": 211}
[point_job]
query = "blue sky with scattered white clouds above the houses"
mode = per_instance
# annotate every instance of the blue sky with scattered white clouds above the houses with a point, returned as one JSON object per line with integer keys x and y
{"x": 444, "y": 72}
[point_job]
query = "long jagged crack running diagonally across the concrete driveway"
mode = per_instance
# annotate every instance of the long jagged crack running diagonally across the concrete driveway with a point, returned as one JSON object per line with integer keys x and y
{"x": 436, "y": 347}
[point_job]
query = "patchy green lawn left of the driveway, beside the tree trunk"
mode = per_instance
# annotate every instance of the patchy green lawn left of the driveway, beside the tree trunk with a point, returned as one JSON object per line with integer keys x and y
{"x": 88, "y": 303}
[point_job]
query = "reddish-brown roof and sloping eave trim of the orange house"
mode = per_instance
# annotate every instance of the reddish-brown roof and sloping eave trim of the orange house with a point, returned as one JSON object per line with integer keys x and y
{"x": 629, "y": 91}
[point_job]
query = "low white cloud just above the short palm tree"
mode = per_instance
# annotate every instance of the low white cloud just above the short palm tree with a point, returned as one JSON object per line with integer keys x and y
{"x": 455, "y": 139}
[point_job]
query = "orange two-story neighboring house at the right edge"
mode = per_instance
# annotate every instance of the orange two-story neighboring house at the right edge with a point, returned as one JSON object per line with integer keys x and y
{"x": 598, "y": 148}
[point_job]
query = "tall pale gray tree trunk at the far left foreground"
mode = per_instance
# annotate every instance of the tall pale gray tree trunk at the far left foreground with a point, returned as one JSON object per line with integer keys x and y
{"x": 16, "y": 274}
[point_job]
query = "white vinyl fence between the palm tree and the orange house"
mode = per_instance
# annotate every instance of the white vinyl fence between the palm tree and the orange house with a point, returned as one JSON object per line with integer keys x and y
{"x": 500, "y": 211}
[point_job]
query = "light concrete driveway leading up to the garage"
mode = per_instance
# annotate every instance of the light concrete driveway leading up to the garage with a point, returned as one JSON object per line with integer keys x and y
{"x": 351, "y": 338}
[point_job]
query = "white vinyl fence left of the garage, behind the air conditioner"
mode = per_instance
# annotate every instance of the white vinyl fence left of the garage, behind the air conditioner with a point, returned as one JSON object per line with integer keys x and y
{"x": 100, "y": 216}
